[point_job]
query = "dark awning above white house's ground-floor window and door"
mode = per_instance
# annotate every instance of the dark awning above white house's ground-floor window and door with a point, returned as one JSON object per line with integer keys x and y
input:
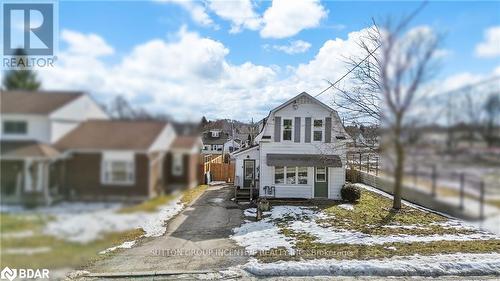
{"x": 304, "y": 160}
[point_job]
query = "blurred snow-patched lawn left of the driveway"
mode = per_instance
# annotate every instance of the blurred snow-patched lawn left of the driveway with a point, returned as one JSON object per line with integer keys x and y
{"x": 64, "y": 237}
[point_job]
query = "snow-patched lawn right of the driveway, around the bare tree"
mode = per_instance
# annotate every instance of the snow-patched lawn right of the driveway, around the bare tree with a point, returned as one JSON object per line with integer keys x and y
{"x": 367, "y": 230}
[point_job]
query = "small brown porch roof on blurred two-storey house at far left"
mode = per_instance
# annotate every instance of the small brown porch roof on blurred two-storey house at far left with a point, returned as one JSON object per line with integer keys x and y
{"x": 21, "y": 149}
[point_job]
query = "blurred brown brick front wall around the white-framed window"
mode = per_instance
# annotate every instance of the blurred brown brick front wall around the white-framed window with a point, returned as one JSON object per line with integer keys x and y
{"x": 83, "y": 179}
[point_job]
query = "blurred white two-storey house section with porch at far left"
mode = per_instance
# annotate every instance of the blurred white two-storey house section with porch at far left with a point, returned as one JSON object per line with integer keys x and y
{"x": 31, "y": 123}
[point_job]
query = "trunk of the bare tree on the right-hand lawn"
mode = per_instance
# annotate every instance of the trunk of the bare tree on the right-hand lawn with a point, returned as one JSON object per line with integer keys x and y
{"x": 399, "y": 169}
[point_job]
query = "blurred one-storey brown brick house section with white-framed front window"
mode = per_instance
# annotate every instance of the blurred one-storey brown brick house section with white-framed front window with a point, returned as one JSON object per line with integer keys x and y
{"x": 116, "y": 159}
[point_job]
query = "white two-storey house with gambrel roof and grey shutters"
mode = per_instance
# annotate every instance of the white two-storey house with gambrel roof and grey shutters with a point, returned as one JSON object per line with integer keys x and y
{"x": 299, "y": 153}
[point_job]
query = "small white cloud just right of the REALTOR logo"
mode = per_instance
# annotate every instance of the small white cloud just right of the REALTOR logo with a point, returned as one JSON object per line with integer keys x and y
{"x": 89, "y": 44}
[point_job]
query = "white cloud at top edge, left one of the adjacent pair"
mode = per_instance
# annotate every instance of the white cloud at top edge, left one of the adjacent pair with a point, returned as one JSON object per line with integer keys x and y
{"x": 240, "y": 13}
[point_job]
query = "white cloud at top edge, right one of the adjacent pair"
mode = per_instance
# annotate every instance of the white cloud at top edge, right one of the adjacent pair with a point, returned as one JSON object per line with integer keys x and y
{"x": 286, "y": 18}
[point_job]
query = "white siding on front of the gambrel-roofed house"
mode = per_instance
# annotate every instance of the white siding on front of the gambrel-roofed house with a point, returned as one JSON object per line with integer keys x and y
{"x": 305, "y": 111}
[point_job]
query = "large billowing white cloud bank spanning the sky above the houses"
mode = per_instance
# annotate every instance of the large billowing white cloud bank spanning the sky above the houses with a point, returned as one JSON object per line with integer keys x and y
{"x": 190, "y": 76}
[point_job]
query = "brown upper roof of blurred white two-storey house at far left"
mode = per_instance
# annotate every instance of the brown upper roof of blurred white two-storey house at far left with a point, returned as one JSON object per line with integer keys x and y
{"x": 37, "y": 102}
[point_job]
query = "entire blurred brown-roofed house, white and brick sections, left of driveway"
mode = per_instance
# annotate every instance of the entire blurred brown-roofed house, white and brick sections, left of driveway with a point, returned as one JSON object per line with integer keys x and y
{"x": 63, "y": 146}
